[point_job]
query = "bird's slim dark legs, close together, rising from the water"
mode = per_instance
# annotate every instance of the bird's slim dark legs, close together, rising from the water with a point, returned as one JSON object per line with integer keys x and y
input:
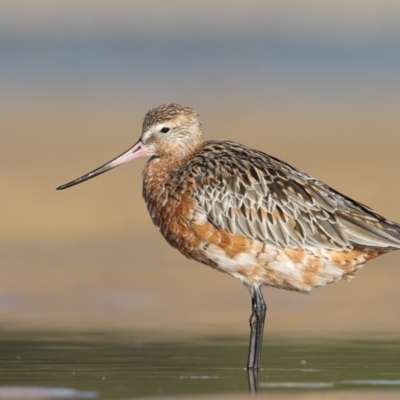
{"x": 257, "y": 319}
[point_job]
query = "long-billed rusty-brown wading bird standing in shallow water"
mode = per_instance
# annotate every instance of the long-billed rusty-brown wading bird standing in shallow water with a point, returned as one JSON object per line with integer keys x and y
{"x": 248, "y": 214}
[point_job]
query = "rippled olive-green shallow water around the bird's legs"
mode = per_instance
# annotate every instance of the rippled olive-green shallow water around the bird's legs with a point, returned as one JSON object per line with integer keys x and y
{"x": 99, "y": 367}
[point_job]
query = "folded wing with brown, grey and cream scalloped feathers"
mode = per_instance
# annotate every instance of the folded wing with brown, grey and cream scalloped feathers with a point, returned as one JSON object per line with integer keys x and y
{"x": 247, "y": 192}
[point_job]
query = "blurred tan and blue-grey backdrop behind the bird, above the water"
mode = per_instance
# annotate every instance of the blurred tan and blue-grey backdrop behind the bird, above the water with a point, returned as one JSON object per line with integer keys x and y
{"x": 314, "y": 83}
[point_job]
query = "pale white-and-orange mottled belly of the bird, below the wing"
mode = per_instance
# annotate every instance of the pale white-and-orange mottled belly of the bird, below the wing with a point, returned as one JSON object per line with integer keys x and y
{"x": 290, "y": 269}
